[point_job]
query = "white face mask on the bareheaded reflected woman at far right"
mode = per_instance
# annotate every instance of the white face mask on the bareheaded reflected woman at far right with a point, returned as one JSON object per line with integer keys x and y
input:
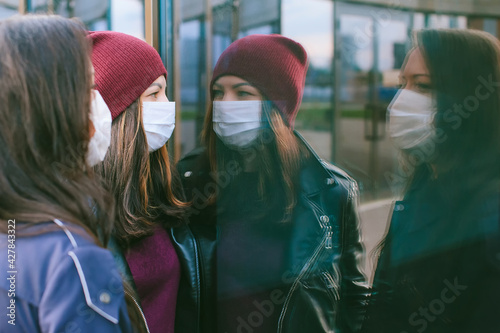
{"x": 411, "y": 117}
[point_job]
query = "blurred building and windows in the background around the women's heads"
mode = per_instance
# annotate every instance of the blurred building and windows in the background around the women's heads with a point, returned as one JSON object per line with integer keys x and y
{"x": 356, "y": 48}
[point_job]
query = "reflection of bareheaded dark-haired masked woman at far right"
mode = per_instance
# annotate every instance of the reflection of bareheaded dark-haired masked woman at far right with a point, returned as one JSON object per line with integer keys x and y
{"x": 439, "y": 268}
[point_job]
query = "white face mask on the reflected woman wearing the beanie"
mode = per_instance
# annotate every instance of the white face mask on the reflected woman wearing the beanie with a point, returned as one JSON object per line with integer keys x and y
{"x": 237, "y": 123}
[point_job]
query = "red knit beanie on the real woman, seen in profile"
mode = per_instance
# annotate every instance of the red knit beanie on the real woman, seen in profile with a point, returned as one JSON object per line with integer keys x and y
{"x": 124, "y": 66}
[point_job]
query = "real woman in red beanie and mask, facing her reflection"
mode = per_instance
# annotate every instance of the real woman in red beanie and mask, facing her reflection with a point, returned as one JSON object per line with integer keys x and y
{"x": 131, "y": 77}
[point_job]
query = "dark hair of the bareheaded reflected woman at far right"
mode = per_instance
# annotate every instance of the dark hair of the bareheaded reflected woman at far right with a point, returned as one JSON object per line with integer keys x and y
{"x": 458, "y": 61}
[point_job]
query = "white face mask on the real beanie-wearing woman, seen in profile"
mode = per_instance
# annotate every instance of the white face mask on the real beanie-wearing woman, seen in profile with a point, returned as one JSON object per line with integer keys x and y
{"x": 159, "y": 123}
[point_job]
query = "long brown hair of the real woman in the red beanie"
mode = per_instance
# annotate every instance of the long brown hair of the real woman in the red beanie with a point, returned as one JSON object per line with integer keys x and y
{"x": 146, "y": 188}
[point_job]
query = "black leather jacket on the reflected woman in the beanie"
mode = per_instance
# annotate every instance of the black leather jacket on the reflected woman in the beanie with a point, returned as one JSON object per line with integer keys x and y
{"x": 327, "y": 291}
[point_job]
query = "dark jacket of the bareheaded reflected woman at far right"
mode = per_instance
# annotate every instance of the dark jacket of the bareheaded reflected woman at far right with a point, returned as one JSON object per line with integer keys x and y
{"x": 439, "y": 268}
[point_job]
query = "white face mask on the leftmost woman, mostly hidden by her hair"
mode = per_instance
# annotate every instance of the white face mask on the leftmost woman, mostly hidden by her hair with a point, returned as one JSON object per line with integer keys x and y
{"x": 101, "y": 119}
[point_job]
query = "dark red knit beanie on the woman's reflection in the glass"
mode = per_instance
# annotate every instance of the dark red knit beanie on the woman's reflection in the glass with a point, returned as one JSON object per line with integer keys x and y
{"x": 274, "y": 64}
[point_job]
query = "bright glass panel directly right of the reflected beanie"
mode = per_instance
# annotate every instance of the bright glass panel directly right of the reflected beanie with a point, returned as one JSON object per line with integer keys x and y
{"x": 315, "y": 33}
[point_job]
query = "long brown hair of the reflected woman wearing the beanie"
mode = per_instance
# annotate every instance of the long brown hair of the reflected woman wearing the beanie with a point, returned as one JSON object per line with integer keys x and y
{"x": 279, "y": 157}
